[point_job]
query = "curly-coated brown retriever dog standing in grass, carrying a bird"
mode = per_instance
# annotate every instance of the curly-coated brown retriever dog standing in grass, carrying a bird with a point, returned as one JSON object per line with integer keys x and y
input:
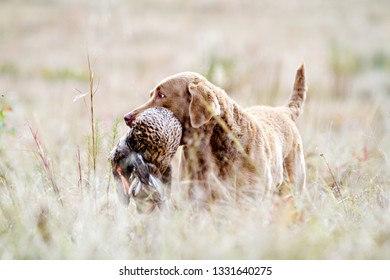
{"x": 255, "y": 145}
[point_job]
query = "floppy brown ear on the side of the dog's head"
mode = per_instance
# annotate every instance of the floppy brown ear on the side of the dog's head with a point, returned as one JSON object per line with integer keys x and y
{"x": 204, "y": 104}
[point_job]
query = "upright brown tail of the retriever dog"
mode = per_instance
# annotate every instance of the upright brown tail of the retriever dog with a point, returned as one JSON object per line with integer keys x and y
{"x": 298, "y": 95}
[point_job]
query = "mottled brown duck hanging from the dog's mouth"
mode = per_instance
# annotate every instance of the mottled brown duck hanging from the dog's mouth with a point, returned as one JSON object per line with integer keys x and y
{"x": 141, "y": 161}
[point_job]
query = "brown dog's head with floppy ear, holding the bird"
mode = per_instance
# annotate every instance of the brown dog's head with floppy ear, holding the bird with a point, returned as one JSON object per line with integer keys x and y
{"x": 189, "y": 96}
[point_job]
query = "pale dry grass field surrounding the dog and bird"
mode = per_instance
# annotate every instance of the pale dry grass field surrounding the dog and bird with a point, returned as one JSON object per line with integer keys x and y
{"x": 56, "y": 204}
